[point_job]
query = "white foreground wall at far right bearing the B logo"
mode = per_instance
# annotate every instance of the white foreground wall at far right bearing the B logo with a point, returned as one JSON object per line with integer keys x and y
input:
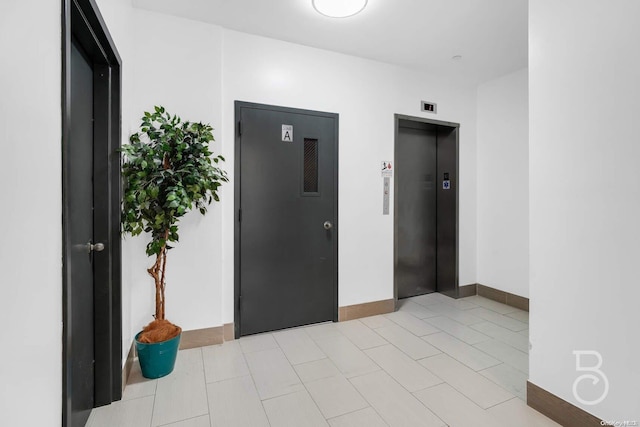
{"x": 585, "y": 198}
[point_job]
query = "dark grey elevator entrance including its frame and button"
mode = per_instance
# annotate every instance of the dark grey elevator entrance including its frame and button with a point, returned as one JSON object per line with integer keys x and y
{"x": 426, "y": 208}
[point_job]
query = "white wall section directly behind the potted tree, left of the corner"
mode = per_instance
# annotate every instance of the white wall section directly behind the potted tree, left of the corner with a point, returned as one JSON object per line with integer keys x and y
{"x": 175, "y": 63}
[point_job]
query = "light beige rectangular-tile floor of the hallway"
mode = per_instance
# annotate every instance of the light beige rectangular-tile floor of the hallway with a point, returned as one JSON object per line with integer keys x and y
{"x": 435, "y": 362}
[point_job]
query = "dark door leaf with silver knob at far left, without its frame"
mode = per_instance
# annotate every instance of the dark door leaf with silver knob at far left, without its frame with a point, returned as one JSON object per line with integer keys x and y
{"x": 80, "y": 258}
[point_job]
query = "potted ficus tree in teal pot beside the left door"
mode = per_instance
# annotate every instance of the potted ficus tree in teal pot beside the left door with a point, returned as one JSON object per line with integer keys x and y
{"x": 168, "y": 169}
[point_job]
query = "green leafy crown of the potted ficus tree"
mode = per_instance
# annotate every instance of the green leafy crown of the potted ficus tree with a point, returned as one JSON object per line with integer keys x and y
{"x": 155, "y": 198}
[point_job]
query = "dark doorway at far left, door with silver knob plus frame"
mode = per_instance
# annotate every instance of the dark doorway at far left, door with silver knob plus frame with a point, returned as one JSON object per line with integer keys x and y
{"x": 92, "y": 337}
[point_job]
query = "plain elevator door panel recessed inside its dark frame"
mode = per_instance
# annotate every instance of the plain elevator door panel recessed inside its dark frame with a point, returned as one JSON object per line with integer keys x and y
{"x": 416, "y": 173}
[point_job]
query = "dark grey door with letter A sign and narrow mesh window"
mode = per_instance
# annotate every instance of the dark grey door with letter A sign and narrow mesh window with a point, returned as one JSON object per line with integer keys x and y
{"x": 287, "y": 228}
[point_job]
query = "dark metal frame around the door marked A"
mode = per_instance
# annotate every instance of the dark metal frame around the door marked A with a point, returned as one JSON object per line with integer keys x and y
{"x": 237, "y": 189}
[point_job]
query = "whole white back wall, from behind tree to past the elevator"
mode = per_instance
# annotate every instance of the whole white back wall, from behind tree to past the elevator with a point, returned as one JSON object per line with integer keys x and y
{"x": 207, "y": 70}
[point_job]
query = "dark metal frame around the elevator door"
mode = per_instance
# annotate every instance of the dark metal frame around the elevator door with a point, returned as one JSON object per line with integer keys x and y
{"x": 454, "y": 129}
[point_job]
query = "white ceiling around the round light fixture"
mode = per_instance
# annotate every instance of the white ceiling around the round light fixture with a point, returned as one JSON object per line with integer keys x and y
{"x": 491, "y": 35}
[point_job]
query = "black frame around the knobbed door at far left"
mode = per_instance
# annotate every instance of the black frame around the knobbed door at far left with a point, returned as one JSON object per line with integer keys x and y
{"x": 82, "y": 21}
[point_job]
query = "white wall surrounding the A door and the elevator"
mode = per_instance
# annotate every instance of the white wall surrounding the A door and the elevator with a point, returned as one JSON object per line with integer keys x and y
{"x": 365, "y": 94}
